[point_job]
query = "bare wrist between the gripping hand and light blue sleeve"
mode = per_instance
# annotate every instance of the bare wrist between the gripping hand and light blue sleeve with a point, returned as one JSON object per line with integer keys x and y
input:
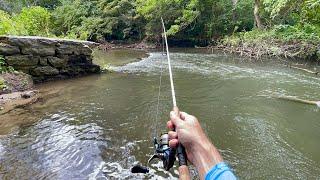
{"x": 206, "y": 156}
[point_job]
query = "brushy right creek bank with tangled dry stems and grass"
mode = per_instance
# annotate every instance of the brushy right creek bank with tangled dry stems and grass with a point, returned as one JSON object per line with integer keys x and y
{"x": 271, "y": 43}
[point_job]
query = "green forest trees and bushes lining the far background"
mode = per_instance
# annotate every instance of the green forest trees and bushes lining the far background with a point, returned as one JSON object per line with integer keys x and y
{"x": 200, "y": 22}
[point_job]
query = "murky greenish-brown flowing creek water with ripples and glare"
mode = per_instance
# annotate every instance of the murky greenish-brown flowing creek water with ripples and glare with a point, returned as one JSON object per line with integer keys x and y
{"x": 98, "y": 127}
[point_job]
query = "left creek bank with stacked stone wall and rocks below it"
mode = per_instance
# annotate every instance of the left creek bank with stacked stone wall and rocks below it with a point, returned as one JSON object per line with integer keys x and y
{"x": 38, "y": 59}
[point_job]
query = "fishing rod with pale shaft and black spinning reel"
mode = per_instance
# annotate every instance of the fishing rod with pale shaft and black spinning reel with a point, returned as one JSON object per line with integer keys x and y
{"x": 163, "y": 151}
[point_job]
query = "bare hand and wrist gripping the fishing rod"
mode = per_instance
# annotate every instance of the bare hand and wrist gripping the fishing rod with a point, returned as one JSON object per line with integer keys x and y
{"x": 200, "y": 151}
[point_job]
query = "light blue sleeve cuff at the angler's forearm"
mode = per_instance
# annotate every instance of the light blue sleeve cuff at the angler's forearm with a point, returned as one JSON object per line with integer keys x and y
{"x": 220, "y": 171}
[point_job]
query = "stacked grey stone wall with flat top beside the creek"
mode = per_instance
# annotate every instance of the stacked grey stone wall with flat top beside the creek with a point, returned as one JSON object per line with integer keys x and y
{"x": 47, "y": 58}
